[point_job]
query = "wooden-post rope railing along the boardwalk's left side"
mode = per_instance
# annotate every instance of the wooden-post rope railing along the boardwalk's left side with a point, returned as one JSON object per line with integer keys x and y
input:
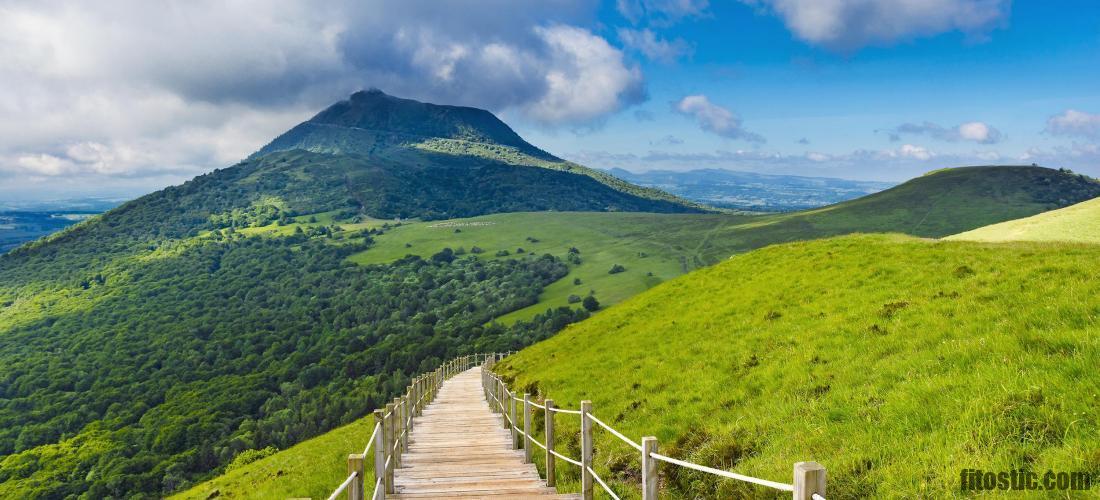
{"x": 394, "y": 424}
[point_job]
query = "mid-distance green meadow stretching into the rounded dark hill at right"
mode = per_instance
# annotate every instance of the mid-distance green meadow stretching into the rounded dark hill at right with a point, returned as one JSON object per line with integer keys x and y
{"x": 657, "y": 248}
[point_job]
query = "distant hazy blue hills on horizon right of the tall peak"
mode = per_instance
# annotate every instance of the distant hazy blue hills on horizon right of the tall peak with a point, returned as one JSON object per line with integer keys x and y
{"x": 746, "y": 191}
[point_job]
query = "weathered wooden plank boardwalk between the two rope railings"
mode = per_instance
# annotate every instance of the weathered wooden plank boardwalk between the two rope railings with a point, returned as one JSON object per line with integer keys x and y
{"x": 459, "y": 449}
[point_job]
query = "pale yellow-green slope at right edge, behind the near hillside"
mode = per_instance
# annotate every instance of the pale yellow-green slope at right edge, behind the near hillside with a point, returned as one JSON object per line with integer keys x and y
{"x": 1076, "y": 224}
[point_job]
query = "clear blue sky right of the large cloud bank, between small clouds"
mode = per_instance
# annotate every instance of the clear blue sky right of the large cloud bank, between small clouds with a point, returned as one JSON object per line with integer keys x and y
{"x": 1038, "y": 61}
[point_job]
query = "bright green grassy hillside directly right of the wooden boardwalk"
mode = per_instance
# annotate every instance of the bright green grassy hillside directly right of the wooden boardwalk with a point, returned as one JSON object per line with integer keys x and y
{"x": 895, "y": 362}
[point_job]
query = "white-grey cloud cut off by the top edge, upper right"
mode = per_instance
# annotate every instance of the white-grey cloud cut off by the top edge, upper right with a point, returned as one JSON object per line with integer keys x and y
{"x": 850, "y": 25}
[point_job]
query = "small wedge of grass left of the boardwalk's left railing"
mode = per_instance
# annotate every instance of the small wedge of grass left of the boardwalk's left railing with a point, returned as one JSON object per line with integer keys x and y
{"x": 309, "y": 470}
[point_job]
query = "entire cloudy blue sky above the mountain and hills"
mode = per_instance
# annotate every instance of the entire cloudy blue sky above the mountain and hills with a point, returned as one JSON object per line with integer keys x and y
{"x": 117, "y": 98}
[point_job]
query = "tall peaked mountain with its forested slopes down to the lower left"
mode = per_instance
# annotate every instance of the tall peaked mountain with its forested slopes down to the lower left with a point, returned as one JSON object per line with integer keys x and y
{"x": 147, "y": 348}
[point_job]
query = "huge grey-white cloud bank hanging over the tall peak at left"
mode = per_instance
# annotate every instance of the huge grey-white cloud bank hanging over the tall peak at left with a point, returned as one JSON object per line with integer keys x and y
{"x": 129, "y": 88}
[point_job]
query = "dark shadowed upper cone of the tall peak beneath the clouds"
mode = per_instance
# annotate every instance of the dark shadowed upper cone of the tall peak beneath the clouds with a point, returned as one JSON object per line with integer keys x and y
{"x": 399, "y": 158}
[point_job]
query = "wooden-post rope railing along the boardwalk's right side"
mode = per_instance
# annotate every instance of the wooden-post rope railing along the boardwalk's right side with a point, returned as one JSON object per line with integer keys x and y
{"x": 809, "y": 477}
